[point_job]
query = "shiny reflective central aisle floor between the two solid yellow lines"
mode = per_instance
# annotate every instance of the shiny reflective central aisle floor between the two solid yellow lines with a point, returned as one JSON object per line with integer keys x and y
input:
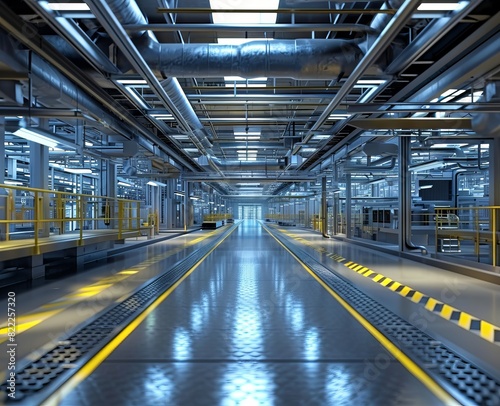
{"x": 250, "y": 327}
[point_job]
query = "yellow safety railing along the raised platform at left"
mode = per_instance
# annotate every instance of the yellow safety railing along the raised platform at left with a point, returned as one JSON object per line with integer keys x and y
{"x": 30, "y": 213}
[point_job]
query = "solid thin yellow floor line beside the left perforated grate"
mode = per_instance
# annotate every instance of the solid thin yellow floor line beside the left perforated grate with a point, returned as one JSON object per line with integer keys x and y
{"x": 91, "y": 365}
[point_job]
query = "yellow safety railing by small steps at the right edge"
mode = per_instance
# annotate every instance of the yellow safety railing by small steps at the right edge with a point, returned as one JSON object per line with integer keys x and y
{"x": 468, "y": 232}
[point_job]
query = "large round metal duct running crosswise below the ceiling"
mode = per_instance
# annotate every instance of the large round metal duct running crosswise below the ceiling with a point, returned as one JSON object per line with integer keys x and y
{"x": 299, "y": 59}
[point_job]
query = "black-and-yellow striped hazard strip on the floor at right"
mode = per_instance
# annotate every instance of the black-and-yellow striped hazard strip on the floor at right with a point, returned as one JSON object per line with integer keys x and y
{"x": 483, "y": 329}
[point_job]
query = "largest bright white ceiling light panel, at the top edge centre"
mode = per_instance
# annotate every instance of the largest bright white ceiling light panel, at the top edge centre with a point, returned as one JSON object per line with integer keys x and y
{"x": 244, "y": 18}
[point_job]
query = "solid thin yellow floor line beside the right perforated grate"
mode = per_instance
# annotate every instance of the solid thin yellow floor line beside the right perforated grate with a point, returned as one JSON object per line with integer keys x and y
{"x": 411, "y": 366}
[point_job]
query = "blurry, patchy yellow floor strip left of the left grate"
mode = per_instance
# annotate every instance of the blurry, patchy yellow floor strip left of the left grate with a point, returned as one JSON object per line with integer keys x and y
{"x": 32, "y": 319}
